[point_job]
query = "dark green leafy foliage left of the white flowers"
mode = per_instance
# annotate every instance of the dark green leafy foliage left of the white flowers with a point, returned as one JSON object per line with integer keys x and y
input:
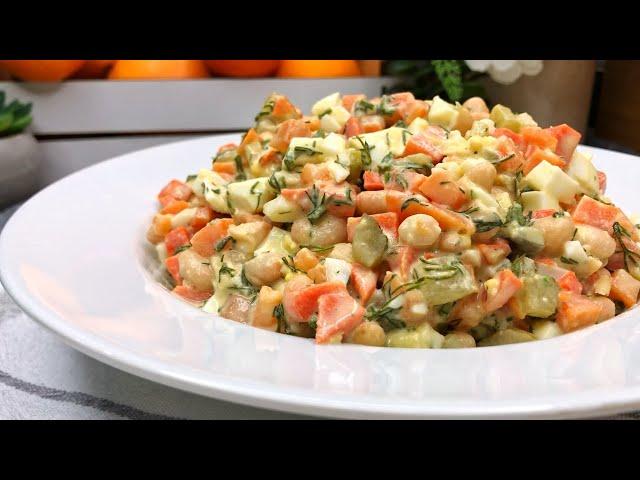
{"x": 450, "y": 79}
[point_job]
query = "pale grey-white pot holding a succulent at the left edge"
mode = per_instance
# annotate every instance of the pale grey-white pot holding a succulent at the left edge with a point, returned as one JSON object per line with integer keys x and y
{"x": 19, "y": 162}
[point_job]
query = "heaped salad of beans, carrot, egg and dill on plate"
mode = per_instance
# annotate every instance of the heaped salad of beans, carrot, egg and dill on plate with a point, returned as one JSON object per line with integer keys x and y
{"x": 399, "y": 222}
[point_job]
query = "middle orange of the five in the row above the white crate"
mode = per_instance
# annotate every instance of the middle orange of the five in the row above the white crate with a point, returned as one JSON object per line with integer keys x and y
{"x": 157, "y": 69}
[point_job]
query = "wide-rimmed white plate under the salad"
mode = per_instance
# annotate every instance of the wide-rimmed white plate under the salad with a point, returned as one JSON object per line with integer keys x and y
{"x": 74, "y": 257}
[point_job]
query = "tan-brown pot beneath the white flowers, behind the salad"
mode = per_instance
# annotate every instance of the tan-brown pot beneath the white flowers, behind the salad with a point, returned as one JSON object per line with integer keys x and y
{"x": 561, "y": 93}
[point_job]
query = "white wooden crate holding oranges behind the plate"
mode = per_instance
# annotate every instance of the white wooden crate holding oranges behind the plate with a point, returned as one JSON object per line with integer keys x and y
{"x": 81, "y": 122}
